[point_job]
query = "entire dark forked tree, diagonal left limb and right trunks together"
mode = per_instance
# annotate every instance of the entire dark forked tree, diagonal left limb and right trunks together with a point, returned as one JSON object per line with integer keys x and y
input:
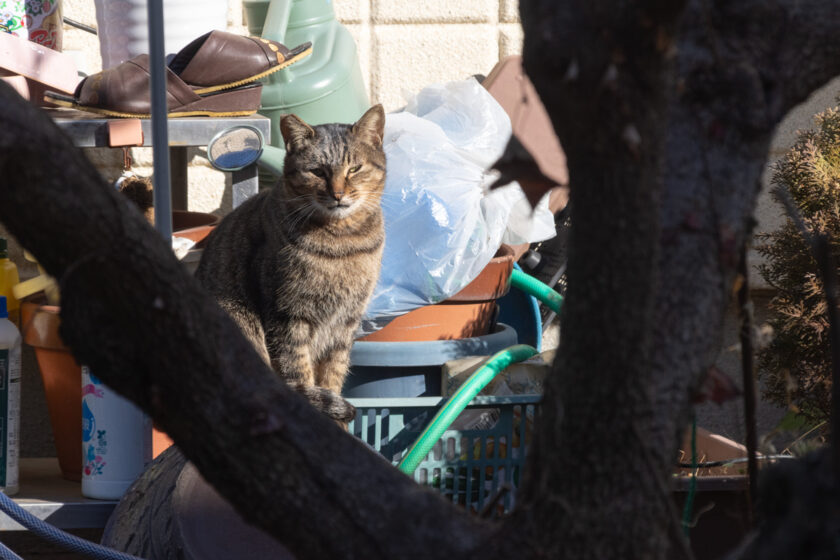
{"x": 665, "y": 110}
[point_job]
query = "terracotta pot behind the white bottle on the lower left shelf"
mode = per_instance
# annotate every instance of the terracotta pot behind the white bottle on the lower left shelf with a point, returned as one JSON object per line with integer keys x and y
{"x": 62, "y": 378}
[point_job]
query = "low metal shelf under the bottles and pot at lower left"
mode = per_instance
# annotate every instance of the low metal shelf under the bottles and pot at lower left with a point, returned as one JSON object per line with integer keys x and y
{"x": 48, "y": 496}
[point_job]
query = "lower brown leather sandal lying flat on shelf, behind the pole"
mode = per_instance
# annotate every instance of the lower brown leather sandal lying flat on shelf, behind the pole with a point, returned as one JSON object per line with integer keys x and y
{"x": 123, "y": 91}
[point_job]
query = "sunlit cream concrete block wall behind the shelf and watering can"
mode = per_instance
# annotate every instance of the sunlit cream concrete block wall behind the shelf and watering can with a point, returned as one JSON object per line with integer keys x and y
{"x": 403, "y": 46}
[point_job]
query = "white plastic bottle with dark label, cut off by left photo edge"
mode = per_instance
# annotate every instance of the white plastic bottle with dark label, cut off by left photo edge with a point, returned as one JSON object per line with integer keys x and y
{"x": 9, "y": 401}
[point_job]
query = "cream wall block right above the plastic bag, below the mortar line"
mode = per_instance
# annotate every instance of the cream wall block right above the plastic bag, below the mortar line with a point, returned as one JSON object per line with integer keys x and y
{"x": 407, "y": 58}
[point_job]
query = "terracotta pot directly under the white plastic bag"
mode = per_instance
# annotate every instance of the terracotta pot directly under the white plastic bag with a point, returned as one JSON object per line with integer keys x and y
{"x": 467, "y": 314}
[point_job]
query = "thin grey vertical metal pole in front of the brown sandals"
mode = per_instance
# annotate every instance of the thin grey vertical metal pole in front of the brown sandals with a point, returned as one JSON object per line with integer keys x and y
{"x": 160, "y": 134}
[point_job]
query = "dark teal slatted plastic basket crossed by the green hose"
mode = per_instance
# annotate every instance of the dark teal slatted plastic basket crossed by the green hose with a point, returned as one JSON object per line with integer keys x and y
{"x": 467, "y": 466}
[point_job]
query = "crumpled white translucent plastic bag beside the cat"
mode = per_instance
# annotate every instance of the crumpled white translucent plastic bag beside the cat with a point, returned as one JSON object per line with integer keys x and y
{"x": 441, "y": 227}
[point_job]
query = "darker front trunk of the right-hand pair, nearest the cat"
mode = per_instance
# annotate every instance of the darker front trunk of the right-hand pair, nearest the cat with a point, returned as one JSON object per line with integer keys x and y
{"x": 604, "y": 72}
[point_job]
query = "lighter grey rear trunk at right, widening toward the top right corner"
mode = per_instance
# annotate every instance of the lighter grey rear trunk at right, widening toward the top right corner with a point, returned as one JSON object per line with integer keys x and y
{"x": 740, "y": 70}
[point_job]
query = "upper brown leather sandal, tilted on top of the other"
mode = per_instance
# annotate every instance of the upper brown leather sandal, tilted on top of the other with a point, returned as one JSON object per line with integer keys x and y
{"x": 220, "y": 60}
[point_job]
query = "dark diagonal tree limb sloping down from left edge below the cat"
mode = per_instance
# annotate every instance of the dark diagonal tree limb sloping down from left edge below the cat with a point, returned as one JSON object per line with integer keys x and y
{"x": 142, "y": 323}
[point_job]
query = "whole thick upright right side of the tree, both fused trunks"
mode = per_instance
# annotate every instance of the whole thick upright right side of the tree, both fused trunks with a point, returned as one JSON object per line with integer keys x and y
{"x": 644, "y": 309}
